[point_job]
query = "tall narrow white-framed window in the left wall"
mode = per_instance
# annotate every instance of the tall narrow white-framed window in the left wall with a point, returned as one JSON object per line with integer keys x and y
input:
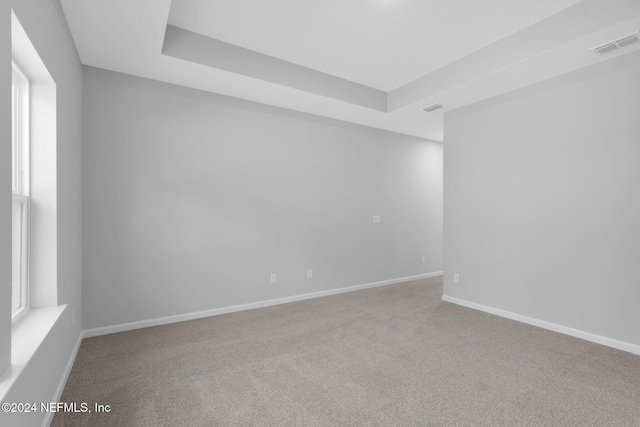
{"x": 20, "y": 190}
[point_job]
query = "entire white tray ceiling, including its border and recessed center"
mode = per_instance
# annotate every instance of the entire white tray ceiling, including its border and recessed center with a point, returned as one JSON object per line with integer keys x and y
{"x": 412, "y": 53}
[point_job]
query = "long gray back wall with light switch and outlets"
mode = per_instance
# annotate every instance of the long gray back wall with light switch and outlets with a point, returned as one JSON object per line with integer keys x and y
{"x": 191, "y": 201}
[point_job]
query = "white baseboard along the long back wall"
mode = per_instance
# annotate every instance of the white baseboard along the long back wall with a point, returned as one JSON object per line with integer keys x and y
{"x": 87, "y": 333}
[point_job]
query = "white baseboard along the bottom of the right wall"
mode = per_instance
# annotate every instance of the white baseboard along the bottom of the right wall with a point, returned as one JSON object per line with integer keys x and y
{"x": 587, "y": 336}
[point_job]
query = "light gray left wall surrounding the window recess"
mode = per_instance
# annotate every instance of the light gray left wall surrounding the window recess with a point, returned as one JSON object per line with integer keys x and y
{"x": 46, "y": 26}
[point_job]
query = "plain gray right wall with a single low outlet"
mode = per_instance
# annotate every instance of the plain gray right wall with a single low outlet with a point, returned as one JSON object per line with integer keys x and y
{"x": 541, "y": 201}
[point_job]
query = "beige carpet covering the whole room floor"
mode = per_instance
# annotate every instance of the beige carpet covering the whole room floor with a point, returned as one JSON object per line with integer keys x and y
{"x": 389, "y": 356}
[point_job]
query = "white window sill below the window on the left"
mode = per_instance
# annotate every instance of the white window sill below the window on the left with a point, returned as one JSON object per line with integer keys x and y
{"x": 27, "y": 334}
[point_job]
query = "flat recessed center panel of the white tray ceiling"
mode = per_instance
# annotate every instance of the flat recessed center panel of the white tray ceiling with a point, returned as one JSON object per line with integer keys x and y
{"x": 383, "y": 44}
